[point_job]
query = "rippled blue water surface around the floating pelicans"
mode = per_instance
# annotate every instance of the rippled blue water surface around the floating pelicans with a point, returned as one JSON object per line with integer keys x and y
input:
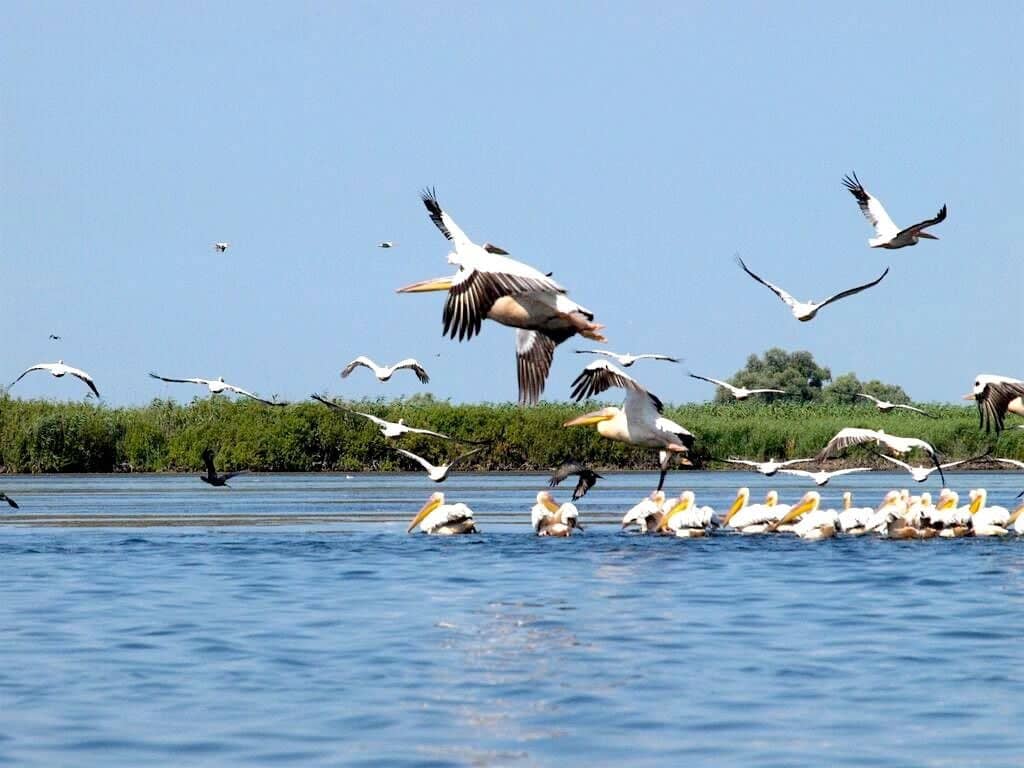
{"x": 294, "y": 623}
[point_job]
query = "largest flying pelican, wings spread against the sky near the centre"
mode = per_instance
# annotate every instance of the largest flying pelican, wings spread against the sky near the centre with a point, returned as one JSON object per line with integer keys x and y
{"x": 490, "y": 285}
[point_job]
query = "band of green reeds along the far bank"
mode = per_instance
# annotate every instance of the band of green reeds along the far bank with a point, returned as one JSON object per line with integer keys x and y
{"x": 47, "y": 437}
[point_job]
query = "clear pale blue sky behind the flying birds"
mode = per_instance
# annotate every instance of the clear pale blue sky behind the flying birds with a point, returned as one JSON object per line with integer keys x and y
{"x": 633, "y": 152}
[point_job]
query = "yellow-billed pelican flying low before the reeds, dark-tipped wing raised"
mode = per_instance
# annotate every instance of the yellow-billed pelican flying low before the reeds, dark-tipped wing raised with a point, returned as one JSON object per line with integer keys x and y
{"x": 639, "y": 422}
